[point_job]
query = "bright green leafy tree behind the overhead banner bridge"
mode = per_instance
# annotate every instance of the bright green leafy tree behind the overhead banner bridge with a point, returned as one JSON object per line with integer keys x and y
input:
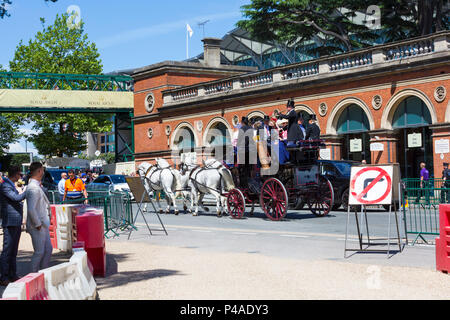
{"x": 61, "y": 49}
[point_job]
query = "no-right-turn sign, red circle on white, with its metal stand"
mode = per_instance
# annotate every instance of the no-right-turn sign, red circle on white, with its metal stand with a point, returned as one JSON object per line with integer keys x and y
{"x": 373, "y": 185}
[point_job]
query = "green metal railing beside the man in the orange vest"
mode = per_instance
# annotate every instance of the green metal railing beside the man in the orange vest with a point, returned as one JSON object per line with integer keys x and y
{"x": 117, "y": 209}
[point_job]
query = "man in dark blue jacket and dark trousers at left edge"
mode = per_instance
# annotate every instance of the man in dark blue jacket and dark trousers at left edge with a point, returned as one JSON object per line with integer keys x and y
{"x": 12, "y": 215}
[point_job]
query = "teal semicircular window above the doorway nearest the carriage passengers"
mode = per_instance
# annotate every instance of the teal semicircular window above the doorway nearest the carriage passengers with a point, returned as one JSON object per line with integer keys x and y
{"x": 353, "y": 119}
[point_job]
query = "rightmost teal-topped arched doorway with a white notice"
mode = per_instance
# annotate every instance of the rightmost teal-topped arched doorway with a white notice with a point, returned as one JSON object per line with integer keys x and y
{"x": 411, "y": 122}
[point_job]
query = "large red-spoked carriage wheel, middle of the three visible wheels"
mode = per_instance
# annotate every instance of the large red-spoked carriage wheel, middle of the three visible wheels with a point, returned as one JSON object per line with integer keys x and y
{"x": 274, "y": 199}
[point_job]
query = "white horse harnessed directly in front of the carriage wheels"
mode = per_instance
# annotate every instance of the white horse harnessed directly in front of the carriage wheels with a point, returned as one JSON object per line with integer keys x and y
{"x": 213, "y": 178}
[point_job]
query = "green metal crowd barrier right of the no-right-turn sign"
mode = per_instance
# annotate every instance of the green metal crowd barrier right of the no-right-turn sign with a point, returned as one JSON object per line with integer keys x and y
{"x": 420, "y": 206}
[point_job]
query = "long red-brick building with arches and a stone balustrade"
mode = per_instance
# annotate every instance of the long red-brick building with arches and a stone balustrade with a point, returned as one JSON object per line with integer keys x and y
{"x": 384, "y": 104}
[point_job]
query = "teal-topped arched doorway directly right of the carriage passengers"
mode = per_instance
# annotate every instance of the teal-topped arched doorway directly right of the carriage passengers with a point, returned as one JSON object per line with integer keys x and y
{"x": 354, "y": 125}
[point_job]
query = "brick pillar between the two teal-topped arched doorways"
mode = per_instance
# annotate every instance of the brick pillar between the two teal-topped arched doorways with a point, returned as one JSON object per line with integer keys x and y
{"x": 389, "y": 141}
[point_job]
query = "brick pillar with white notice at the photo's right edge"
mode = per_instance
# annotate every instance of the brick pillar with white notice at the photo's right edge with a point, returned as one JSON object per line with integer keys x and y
{"x": 440, "y": 138}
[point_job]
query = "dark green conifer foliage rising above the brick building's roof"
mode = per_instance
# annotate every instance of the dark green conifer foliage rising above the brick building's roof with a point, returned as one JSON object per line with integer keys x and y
{"x": 332, "y": 21}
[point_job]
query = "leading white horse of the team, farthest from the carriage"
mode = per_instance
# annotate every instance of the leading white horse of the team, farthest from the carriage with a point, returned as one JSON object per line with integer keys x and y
{"x": 161, "y": 177}
